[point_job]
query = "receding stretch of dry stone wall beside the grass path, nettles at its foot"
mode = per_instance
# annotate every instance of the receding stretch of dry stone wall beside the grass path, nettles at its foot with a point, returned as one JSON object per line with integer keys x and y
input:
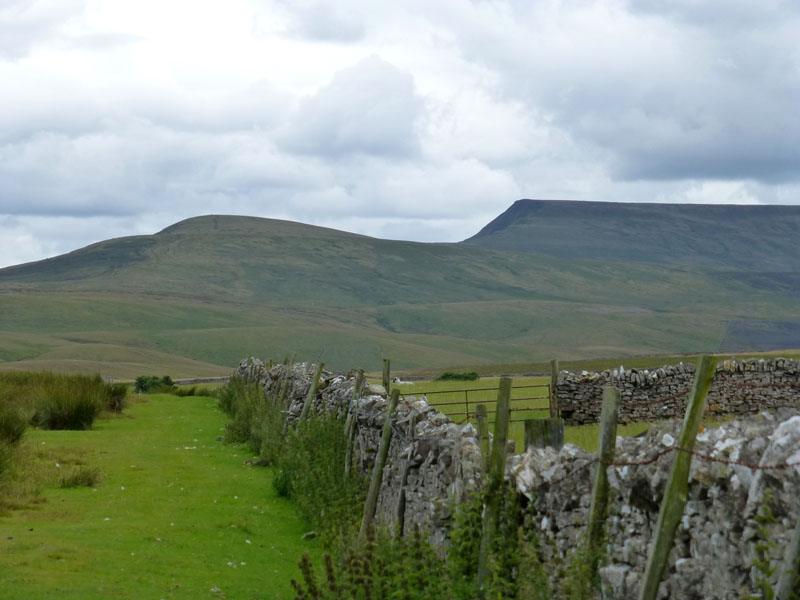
{"x": 444, "y": 463}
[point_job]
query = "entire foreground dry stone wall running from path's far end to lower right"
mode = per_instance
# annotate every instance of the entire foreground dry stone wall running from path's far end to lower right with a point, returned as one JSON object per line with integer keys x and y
{"x": 748, "y": 464}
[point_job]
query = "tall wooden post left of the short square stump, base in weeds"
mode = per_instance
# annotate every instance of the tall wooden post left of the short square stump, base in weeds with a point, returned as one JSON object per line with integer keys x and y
{"x": 494, "y": 487}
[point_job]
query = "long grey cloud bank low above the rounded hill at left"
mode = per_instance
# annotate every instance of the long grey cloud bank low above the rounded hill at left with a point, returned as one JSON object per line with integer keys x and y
{"x": 136, "y": 167}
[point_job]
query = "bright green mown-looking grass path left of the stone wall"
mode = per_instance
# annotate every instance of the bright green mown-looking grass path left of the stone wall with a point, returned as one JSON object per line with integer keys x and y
{"x": 177, "y": 515}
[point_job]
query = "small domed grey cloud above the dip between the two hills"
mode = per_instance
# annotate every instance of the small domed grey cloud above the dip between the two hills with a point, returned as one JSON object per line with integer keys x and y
{"x": 369, "y": 108}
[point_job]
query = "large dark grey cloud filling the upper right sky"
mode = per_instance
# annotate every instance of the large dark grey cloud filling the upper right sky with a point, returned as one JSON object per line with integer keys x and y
{"x": 662, "y": 98}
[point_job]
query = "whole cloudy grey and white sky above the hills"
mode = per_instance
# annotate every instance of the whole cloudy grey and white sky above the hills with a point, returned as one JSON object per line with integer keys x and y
{"x": 418, "y": 120}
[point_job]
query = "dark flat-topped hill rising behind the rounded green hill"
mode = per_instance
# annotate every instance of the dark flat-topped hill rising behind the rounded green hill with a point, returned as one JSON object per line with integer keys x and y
{"x": 757, "y": 238}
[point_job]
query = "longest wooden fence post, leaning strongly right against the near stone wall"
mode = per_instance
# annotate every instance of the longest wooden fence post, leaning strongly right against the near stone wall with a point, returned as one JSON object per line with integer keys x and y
{"x": 676, "y": 493}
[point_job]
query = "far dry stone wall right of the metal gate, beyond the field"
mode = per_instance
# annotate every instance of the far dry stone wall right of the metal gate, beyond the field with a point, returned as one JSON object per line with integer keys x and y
{"x": 740, "y": 387}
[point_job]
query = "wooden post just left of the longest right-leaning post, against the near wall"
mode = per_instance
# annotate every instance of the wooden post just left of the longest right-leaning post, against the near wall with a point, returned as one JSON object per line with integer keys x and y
{"x": 605, "y": 456}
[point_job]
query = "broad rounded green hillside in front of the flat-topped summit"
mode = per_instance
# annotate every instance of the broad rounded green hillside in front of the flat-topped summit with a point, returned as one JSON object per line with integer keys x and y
{"x": 199, "y": 295}
